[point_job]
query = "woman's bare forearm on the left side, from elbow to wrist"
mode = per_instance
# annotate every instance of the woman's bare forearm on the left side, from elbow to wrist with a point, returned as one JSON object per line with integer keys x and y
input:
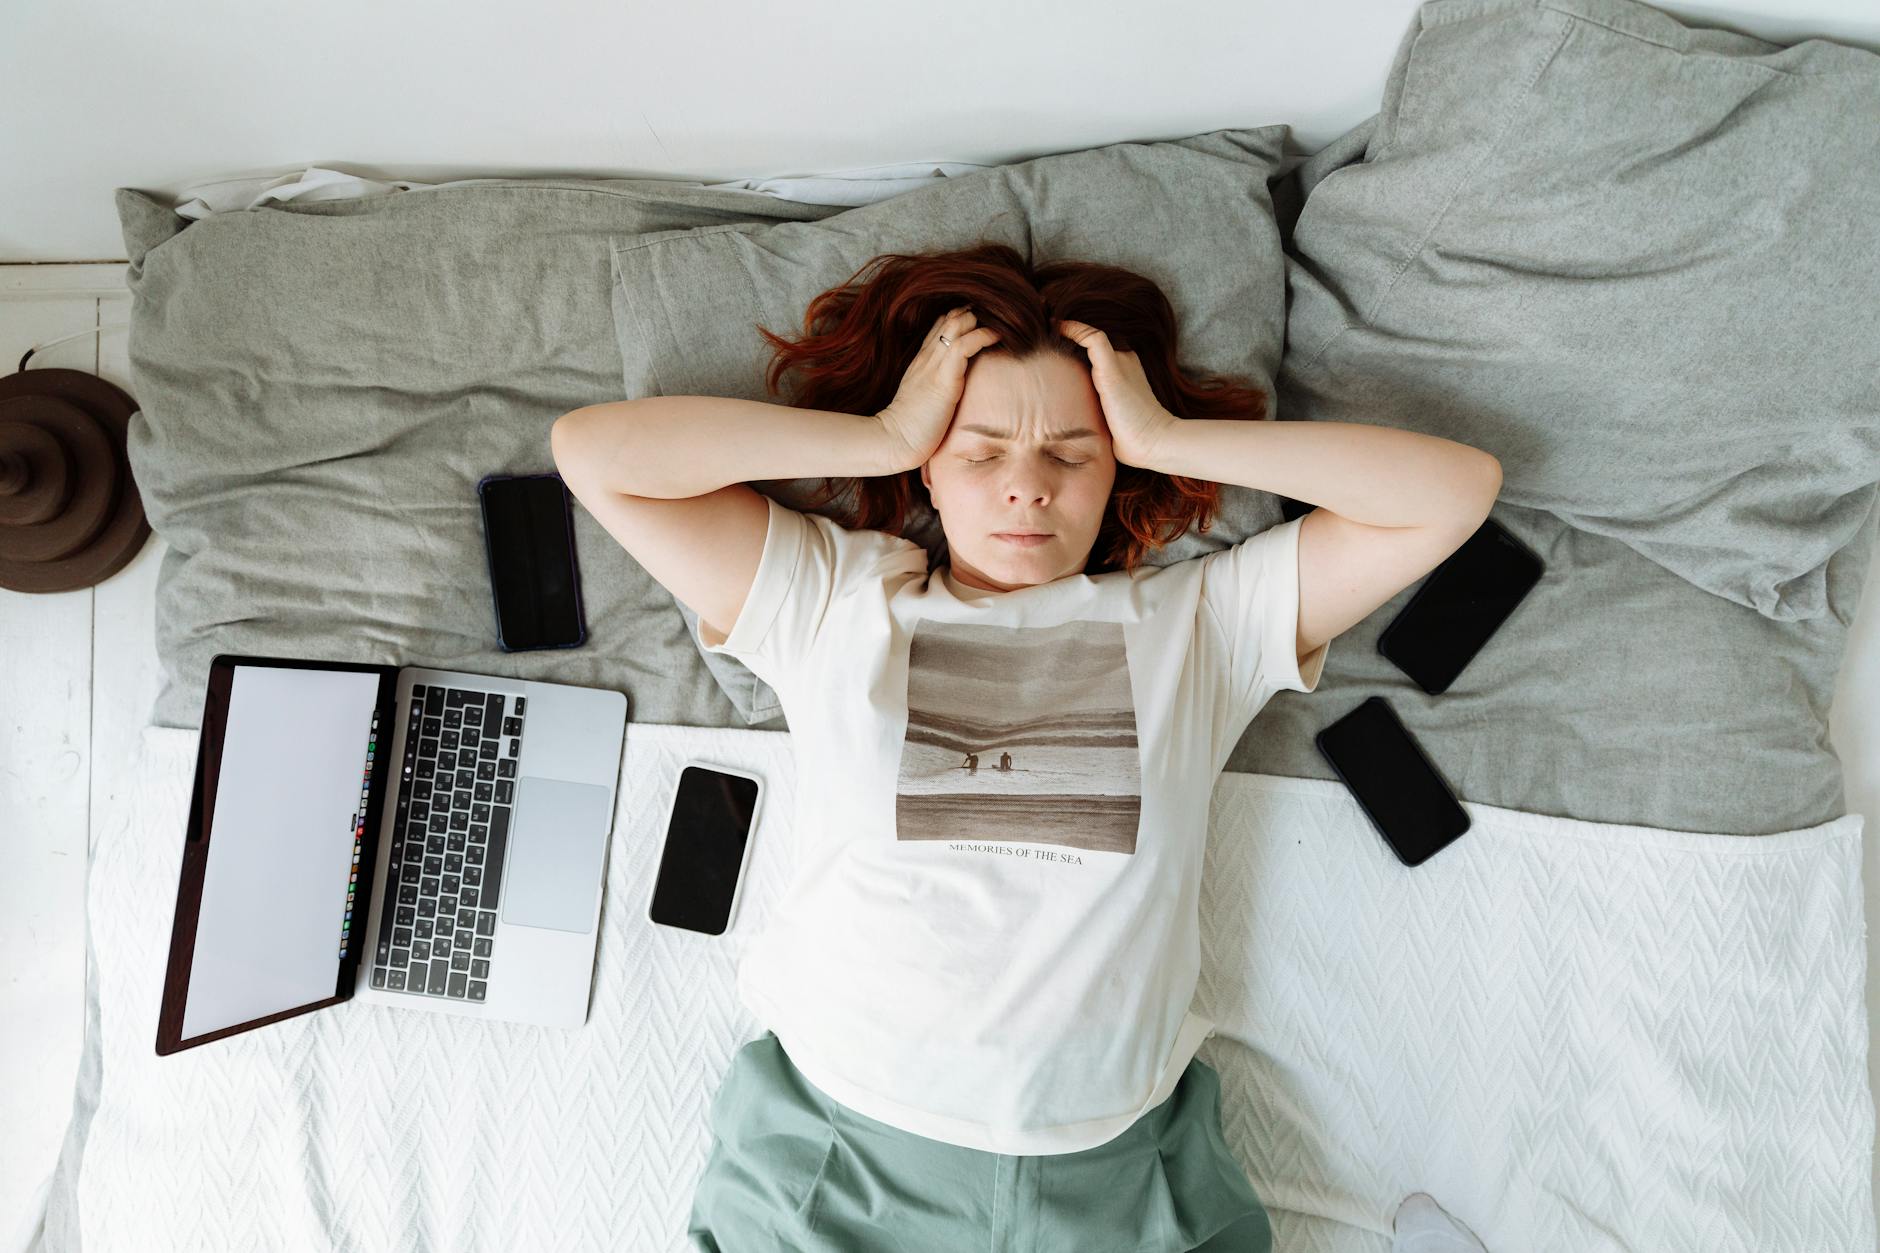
{"x": 674, "y": 447}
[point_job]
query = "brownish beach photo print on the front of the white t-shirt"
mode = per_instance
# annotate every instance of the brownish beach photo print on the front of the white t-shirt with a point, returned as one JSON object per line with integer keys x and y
{"x": 1020, "y": 735}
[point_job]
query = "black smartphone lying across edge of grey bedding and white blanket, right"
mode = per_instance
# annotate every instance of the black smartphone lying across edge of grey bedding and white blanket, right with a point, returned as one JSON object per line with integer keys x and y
{"x": 1394, "y": 782}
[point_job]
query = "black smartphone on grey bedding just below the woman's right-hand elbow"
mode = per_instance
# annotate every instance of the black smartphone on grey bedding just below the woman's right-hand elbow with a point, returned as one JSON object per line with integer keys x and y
{"x": 1460, "y": 607}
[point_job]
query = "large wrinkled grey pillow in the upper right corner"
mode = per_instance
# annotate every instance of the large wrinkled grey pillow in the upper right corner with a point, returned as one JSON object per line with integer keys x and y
{"x": 1631, "y": 259}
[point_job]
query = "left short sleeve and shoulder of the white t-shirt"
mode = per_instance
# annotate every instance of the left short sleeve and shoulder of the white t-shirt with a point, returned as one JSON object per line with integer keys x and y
{"x": 809, "y": 565}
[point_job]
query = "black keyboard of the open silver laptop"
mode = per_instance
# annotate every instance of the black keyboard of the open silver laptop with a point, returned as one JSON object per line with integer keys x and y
{"x": 456, "y": 795}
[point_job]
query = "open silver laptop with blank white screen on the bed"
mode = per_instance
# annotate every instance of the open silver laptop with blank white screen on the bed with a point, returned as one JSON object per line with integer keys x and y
{"x": 428, "y": 840}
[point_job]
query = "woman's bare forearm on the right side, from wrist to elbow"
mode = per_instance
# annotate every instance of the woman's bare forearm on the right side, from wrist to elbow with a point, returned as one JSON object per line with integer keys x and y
{"x": 1383, "y": 477}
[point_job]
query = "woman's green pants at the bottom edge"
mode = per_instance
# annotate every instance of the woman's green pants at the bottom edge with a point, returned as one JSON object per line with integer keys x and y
{"x": 794, "y": 1171}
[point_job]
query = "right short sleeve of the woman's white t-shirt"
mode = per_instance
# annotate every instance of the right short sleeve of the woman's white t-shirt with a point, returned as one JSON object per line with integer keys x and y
{"x": 1253, "y": 594}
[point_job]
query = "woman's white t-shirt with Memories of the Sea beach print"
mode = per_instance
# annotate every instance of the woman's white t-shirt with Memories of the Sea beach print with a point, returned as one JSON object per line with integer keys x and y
{"x": 1001, "y": 808}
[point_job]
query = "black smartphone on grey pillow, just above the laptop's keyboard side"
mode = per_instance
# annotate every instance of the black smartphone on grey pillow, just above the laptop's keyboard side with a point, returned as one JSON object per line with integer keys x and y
{"x": 529, "y": 537}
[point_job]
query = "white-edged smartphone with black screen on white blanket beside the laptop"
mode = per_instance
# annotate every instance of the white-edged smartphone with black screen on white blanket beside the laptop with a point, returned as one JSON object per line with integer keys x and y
{"x": 708, "y": 846}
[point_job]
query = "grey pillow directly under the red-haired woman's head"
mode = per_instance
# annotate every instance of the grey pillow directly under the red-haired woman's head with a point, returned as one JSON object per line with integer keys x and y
{"x": 1197, "y": 215}
